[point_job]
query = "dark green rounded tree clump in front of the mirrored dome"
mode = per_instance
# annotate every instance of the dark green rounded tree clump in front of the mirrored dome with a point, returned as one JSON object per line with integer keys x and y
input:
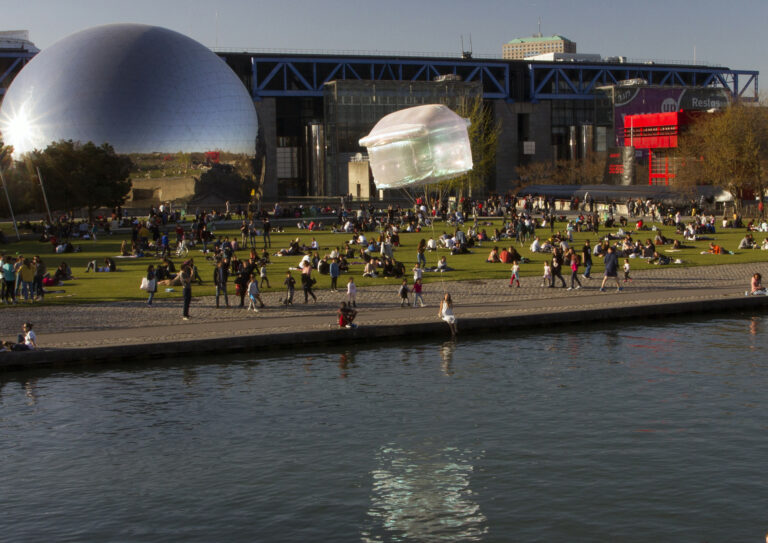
{"x": 82, "y": 175}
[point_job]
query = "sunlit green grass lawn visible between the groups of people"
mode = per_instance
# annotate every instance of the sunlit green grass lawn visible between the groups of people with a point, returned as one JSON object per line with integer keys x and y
{"x": 124, "y": 285}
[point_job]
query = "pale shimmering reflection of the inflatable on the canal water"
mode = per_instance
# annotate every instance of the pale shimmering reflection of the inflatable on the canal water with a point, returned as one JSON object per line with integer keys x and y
{"x": 423, "y": 495}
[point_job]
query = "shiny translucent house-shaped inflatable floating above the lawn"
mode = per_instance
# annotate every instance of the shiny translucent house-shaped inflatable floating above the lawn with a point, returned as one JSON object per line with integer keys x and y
{"x": 417, "y": 146}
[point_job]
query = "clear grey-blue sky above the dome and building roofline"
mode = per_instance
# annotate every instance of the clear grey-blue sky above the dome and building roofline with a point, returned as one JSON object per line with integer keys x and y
{"x": 731, "y": 33}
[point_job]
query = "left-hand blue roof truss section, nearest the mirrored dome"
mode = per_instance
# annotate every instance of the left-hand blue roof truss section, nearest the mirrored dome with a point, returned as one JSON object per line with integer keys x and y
{"x": 305, "y": 76}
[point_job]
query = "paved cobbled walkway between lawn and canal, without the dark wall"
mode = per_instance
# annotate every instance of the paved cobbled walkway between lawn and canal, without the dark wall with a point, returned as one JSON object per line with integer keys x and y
{"x": 131, "y": 323}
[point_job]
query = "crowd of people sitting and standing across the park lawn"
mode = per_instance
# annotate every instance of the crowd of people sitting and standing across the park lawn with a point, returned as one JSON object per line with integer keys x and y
{"x": 372, "y": 242}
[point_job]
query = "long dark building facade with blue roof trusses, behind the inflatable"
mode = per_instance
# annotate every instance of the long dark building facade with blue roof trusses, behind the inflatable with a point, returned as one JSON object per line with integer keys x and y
{"x": 313, "y": 109}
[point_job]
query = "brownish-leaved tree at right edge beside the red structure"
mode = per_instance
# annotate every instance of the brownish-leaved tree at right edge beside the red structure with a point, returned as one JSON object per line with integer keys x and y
{"x": 728, "y": 148}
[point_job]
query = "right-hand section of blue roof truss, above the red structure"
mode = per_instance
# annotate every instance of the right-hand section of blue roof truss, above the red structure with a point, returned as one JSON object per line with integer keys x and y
{"x": 557, "y": 81}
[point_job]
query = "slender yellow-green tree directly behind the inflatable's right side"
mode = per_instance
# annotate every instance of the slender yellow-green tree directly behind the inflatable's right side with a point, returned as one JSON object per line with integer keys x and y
{"x": 483, "y": 138}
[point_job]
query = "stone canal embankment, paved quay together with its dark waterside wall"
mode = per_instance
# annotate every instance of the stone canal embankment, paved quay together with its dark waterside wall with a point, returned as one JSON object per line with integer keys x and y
{"x": 83, "y": 334}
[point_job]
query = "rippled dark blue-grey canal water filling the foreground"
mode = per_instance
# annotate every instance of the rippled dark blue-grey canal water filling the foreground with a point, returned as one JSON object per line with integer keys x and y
{"x": 633, "y": 432}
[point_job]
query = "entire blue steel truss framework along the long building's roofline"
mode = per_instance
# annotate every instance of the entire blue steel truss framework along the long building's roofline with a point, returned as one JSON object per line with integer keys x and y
{"x": 507, "y": 80}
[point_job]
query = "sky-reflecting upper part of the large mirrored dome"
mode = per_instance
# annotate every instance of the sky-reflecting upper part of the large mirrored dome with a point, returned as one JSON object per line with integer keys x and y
{"x": 140, "y": 88}
